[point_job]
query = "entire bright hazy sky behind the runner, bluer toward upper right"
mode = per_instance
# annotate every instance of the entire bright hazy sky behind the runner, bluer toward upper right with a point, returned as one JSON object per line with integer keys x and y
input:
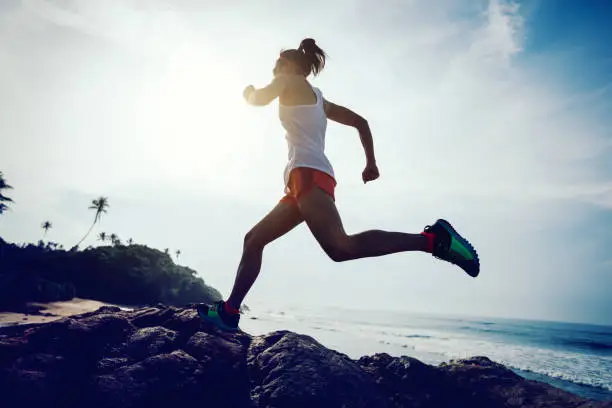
{"x": 491, "y": 114}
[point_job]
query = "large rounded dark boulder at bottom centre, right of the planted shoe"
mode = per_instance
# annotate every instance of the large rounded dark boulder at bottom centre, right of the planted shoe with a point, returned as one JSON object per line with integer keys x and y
{"x": 291, "y": 370}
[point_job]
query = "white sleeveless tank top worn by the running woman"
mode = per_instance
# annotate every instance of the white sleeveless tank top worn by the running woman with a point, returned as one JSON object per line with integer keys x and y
{"x": 305, "y": 127}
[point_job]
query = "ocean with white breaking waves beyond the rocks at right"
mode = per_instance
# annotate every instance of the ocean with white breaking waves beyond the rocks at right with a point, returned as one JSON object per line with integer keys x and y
{"x": 570, "y": 356}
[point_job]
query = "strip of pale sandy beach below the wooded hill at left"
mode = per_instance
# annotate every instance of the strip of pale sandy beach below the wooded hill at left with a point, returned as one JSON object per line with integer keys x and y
{"x": 51, "y": 311}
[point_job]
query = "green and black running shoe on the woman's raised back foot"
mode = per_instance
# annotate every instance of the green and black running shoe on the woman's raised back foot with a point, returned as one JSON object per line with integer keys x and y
{"x": 452, "y": 247}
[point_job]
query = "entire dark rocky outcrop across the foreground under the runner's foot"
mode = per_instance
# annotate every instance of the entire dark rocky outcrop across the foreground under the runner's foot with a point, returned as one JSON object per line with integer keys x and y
{"x": 165, "y": 356}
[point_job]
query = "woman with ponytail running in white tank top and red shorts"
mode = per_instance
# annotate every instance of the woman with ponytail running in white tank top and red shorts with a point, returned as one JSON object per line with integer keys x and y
{"x": 310, "y": 182}
